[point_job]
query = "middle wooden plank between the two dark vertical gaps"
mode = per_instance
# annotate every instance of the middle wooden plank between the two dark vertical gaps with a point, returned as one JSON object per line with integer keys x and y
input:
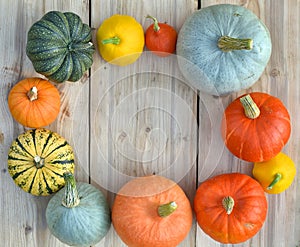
{"x": 136, "y": 127}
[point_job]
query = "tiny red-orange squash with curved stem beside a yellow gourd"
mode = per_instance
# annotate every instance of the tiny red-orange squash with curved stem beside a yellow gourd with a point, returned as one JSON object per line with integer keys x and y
{"x": 160, "y": 38}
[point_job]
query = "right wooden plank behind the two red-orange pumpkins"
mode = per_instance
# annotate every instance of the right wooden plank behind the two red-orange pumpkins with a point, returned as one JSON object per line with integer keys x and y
{"x": 279, "y": 79}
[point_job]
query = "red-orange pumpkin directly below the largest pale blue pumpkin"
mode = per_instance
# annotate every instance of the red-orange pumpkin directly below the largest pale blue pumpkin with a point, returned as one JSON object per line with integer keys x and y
{"x": 255, "y": 127}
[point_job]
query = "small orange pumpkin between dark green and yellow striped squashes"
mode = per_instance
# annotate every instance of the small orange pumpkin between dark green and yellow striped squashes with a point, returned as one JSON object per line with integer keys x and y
{"x": 34, "y": 102}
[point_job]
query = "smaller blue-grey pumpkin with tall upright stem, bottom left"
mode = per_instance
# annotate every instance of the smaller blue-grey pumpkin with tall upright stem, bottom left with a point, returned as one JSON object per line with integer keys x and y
{"x": 78, "y": 214}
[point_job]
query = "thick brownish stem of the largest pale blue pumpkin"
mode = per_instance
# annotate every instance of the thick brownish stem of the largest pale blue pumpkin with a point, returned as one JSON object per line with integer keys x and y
{"x": 226, "y": 43}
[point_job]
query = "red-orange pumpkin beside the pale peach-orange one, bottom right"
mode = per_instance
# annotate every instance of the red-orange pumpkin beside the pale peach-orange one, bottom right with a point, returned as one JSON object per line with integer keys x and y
{"x": 230, "y": 208}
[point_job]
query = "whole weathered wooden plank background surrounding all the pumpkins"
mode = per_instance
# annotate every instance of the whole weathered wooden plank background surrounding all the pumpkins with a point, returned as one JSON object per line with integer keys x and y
{"x": 143, "y": 118}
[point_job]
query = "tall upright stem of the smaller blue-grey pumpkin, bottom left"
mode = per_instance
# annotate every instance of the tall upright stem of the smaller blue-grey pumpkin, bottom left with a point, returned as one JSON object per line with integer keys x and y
{"x": 71, "y": 198}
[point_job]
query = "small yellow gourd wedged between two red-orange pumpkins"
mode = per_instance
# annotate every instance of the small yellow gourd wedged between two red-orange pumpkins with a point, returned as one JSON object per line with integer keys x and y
{"x": 276, "y": 174}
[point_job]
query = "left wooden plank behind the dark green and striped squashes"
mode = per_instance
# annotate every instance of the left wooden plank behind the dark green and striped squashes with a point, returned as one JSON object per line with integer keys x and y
{"x": 22, "y": 215}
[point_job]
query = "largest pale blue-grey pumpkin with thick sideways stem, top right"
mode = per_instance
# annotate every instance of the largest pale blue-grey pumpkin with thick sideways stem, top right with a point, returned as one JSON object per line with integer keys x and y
{"x": 223, "y": 49}
